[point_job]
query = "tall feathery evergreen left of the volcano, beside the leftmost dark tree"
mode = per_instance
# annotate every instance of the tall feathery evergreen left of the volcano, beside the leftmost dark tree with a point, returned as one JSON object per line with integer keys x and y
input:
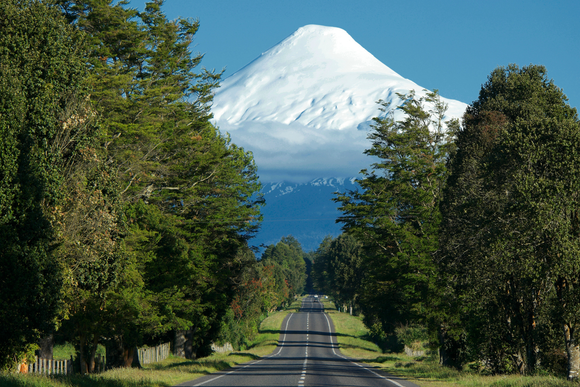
{"x": 188, "y": 193}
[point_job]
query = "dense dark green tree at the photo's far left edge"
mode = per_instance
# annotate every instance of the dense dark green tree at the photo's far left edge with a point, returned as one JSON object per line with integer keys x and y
{"x": 42, "y": 105}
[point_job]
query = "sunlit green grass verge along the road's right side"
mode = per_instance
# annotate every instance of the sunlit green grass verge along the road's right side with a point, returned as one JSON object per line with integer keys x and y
{"x": 425, "y": 372}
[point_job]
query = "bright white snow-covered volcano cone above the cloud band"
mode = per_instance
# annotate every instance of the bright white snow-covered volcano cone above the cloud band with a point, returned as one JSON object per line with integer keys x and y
{"x": 319, "y": 77}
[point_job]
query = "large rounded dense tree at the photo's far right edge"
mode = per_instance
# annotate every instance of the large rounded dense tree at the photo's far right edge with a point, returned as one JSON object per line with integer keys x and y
{"x": 509, "y": 220}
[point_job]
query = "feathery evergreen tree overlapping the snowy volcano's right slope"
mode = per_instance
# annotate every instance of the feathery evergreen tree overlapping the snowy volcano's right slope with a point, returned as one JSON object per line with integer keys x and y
{"x": 395, "y": 216}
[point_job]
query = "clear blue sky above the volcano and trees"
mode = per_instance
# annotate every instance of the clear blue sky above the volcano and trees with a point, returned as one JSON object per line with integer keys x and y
{"x": 447, "y": 45}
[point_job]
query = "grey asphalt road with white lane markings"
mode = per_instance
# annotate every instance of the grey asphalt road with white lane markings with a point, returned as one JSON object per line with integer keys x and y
{"x": 307, "y": 355}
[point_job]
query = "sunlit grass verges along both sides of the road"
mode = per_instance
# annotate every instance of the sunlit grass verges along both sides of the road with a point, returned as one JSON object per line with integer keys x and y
{"x": 351, "y": 334}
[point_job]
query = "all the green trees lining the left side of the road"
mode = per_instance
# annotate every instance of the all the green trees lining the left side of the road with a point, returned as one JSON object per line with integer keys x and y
{"x": 124, "y": 214}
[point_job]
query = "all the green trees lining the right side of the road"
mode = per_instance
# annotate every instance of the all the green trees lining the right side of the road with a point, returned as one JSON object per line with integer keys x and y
{"x": 469, "y": 231}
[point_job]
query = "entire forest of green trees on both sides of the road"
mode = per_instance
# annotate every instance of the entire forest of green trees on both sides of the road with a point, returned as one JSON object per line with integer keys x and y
{"x": 126, "y": 217}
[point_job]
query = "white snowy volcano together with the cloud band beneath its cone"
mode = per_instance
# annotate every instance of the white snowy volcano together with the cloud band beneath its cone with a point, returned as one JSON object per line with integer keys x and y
{"x": 304, "y": 106}
